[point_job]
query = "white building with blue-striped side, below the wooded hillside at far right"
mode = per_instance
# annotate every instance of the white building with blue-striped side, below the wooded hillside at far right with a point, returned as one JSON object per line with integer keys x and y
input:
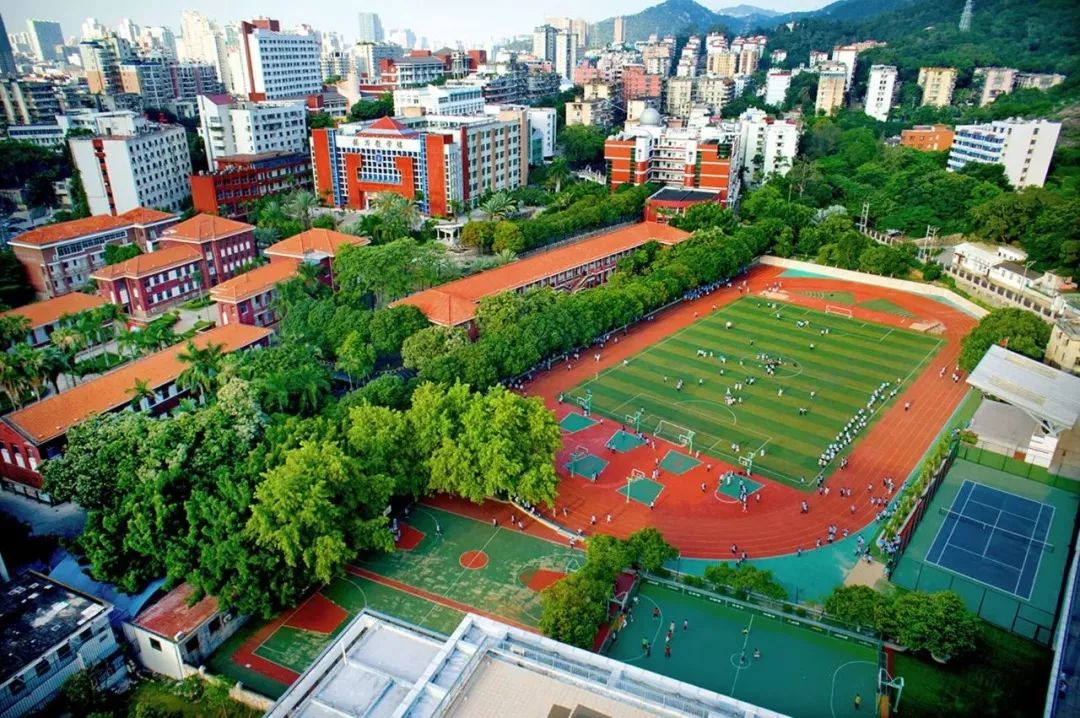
{"x": 1023, "y": 147}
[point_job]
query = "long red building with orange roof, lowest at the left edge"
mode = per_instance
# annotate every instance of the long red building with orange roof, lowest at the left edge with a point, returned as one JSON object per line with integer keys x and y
{"x": 37, "y": 432}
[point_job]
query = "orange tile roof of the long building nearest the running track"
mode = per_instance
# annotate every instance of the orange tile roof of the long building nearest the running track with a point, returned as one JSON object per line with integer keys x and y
{"x": 456, "y": 303}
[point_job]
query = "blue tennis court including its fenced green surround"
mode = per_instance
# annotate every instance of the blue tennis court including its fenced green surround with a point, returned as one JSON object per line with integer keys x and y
{"x": 1001, "y": 541}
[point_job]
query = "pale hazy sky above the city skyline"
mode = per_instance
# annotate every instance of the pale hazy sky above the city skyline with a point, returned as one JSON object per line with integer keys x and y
{"x": 475, "y": 21}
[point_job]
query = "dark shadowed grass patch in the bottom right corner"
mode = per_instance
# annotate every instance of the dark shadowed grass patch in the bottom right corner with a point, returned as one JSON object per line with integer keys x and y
{"x": 1006, "y": 676}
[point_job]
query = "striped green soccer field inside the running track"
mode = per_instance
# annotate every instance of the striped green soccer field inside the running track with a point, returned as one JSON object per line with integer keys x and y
{"x": 843, "y": 369}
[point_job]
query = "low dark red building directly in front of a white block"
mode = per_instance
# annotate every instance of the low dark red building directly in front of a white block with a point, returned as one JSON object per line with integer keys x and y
{"x": 239, "y": 181}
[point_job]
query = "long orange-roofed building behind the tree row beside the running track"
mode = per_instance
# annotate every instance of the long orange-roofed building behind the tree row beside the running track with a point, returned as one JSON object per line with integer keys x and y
{"x": 570, "y": 268}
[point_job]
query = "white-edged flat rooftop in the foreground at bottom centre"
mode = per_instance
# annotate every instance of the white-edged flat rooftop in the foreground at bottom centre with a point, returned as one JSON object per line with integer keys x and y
{"x": 382, "y": 667}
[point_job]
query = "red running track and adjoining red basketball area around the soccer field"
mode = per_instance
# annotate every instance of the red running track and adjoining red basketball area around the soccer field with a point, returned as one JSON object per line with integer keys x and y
{"x": 698, "y": 524}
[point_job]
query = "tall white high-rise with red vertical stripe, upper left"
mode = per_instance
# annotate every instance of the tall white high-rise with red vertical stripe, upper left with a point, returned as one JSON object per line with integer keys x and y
{"x": 277, "y": 65}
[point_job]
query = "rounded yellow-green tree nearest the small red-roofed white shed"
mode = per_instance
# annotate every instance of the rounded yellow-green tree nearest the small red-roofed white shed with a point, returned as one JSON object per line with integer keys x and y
{"x": 317, "y": 511}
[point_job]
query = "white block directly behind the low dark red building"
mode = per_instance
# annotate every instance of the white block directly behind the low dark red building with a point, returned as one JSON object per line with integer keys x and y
{"x": 229, "y": 127}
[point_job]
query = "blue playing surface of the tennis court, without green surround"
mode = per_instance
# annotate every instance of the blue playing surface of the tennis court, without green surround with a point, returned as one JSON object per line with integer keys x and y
{"x": 994, "y": 537}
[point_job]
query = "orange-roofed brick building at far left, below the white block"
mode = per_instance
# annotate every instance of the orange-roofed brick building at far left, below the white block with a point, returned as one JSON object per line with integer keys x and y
{"x": 60, "y": 259}
